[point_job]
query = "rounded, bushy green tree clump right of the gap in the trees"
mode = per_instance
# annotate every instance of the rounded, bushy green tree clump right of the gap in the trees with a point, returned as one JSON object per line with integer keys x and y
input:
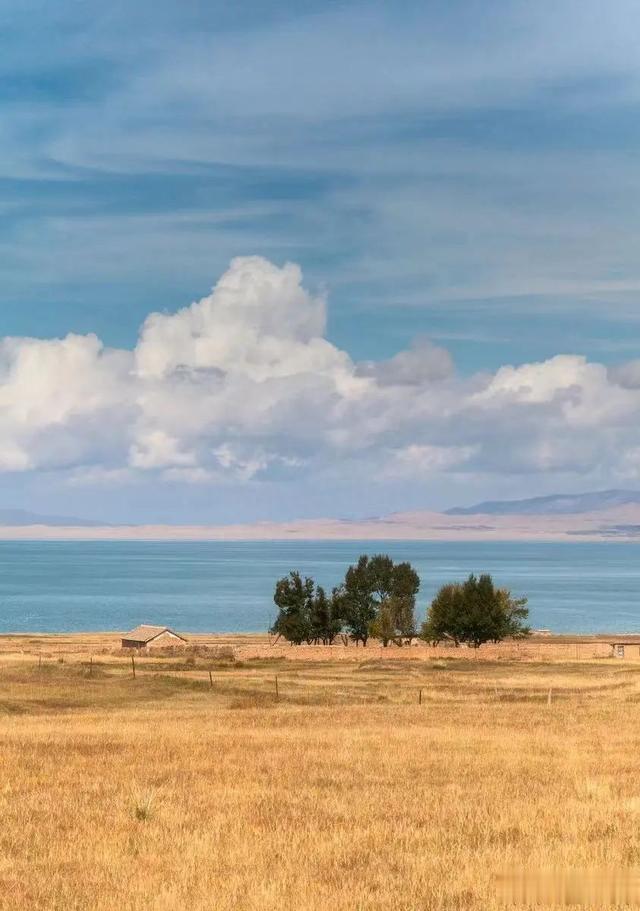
{"x": 475, "y": 612}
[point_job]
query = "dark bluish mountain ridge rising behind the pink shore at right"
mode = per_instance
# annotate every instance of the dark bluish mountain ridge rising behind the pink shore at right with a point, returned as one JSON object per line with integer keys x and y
{"x": 554, "y": 505}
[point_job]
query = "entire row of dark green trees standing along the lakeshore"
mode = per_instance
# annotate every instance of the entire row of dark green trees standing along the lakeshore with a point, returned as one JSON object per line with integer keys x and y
{"x": 378, "y": 599}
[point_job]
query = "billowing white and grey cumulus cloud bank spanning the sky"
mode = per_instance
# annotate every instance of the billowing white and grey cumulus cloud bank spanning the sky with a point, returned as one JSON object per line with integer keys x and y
{"x": 244, "y": 385}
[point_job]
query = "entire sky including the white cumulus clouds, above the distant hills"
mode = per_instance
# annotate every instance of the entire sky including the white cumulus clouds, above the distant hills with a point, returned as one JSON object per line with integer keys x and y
{"x": 274, "y": 260}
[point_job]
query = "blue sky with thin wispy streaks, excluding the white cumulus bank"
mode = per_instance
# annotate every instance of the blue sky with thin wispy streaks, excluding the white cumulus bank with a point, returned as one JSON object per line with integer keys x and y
{"x": 462, "y": 172}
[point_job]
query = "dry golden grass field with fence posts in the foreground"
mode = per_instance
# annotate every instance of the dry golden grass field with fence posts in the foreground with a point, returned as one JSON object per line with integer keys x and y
{"x": 345, "y": 792}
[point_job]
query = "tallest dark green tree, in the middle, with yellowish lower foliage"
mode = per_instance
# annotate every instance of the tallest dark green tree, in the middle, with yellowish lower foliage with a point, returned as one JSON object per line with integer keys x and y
{"x": 378, "y": 598}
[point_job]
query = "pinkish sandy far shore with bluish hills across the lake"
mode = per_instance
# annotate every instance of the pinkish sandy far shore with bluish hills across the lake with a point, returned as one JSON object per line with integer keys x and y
{"x": 597, "y": 516}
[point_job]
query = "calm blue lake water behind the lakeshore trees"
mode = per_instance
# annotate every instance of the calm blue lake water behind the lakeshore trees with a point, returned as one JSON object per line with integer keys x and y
{"x": 228, "y": 586}
